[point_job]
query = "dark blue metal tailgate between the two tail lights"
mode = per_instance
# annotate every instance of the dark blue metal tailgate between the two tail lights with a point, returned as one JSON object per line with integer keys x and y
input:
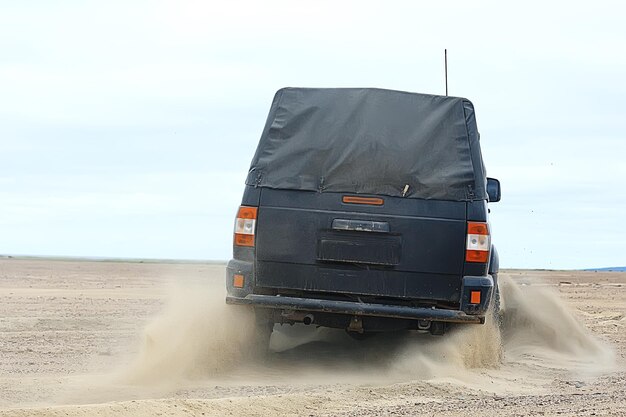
{"x": 401, "y": 248}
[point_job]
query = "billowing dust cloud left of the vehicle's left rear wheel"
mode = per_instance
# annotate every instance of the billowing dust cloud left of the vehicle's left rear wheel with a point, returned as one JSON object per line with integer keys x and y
{"x": 196, "y": 335}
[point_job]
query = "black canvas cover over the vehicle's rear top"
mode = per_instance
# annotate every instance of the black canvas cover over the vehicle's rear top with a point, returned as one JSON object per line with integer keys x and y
{"x": 370, "y": 141}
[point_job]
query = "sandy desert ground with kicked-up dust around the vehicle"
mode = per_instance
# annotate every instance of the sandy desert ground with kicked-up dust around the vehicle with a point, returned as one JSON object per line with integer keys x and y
{"x": 146, "y": 339}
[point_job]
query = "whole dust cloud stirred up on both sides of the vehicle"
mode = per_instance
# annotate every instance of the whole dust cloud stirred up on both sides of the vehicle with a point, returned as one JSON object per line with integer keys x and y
{"x": 199, "y": 337}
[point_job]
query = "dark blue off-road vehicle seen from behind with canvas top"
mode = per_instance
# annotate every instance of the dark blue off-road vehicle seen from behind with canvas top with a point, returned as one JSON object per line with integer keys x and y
{"x": 365, "y": 210}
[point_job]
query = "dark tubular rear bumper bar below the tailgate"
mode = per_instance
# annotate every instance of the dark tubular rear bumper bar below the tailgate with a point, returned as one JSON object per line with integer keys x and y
{"x": 355, "y": 308}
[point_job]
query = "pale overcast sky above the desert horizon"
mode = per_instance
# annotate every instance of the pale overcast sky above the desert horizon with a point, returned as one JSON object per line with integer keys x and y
{"x": 127, "y": 127}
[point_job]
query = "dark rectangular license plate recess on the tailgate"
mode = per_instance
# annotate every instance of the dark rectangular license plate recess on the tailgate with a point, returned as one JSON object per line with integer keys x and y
{"x": 359, "y": 247}
